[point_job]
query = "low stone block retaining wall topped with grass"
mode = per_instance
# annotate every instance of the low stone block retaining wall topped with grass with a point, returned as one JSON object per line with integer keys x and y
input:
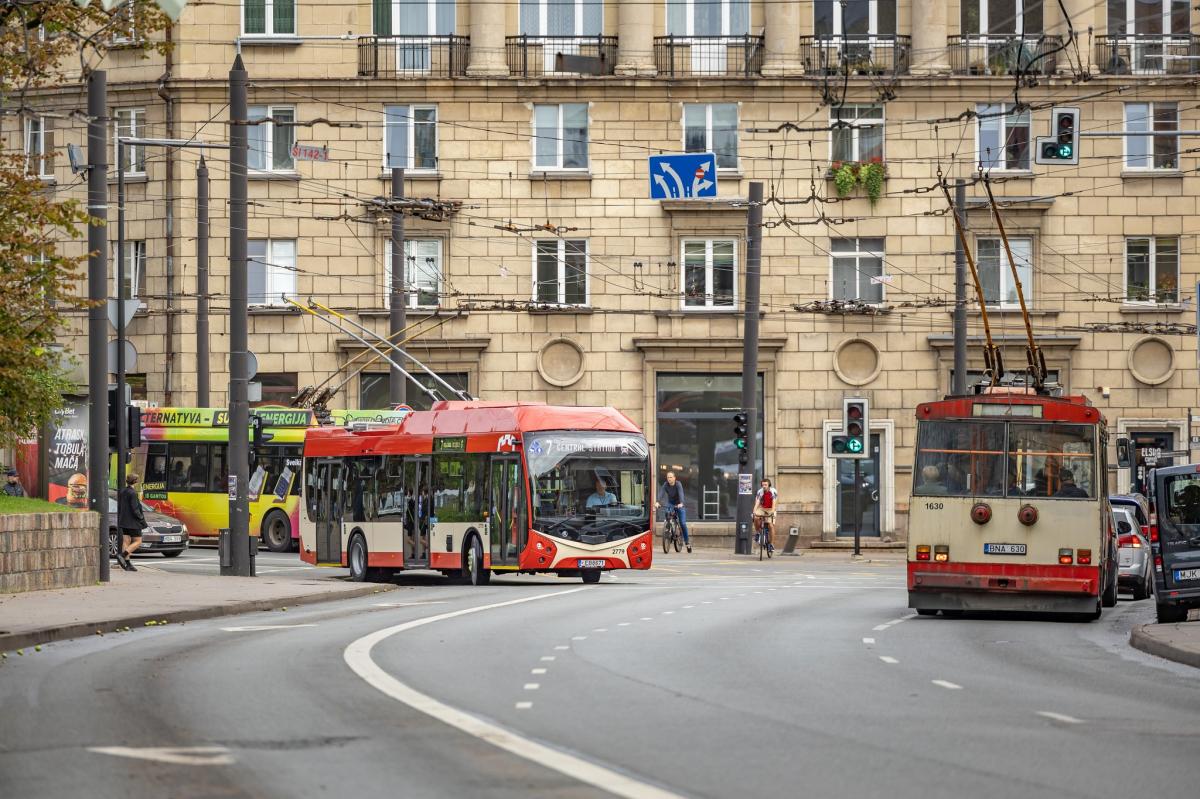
{"x": 43, "y": 551}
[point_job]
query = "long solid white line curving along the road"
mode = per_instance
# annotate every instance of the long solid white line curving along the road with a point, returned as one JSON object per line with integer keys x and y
{"x": 358, "y": 658}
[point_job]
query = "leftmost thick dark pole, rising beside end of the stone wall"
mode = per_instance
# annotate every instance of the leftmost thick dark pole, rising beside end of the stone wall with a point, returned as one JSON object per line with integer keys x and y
{"x": 98, "y": 295}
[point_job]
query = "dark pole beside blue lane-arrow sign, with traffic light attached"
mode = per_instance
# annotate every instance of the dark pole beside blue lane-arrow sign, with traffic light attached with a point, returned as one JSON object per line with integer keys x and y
{"x": 751, "y": 369}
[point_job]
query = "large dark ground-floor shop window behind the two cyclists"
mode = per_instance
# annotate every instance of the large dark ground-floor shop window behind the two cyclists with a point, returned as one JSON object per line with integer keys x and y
{"x": 694, "y": 440}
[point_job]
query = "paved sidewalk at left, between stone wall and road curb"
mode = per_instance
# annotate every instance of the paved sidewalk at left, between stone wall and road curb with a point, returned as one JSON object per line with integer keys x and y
{"x": 131, "y": 600}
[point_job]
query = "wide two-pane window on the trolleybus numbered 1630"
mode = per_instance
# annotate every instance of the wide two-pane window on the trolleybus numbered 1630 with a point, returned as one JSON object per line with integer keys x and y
{"x": 1005, "y": 459}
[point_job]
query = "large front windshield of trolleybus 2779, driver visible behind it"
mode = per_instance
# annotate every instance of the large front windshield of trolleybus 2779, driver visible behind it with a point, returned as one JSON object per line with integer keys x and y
{"x": 589, "y": 488}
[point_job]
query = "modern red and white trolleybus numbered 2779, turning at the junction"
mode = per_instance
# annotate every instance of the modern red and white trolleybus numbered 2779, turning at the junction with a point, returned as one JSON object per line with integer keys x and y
{"x": 471, "y": 489}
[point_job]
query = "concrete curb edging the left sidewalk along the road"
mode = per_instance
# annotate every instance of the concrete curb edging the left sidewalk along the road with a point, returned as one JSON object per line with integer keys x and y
{"x": 65, "y": 633}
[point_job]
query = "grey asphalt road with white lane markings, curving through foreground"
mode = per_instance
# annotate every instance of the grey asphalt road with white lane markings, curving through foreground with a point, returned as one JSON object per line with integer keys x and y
{"x": 703, "y": 678}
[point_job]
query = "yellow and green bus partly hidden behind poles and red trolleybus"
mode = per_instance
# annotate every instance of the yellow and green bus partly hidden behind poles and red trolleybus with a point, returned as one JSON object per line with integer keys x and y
{"x": 185, "y": 472}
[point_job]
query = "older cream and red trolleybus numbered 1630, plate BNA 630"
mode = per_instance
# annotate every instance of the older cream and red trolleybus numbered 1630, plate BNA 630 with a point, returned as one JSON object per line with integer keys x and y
{"x": 1010, "y": 507}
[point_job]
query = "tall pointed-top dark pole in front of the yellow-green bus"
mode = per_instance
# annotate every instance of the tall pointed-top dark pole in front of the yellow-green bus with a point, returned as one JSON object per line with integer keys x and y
{"x": 239, "y": 410}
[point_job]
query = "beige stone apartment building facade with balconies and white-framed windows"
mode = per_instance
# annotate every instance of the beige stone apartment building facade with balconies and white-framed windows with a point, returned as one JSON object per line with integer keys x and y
{"x": 548, "y": 273}
